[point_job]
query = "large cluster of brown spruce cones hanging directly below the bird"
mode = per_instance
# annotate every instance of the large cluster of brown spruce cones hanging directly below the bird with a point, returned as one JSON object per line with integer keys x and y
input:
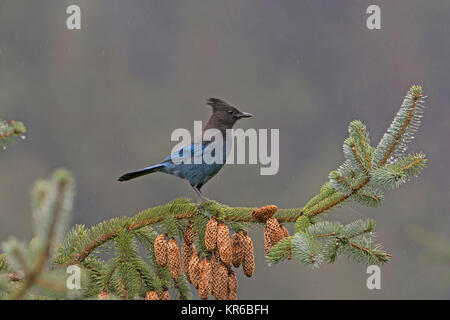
{"x": 212, "y": 274}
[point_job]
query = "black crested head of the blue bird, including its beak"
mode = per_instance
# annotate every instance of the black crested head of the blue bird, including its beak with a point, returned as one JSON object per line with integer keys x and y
{"x": 224, "y": 115}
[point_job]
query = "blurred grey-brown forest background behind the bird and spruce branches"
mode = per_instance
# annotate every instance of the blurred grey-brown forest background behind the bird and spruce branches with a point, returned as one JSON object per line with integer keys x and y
{"x": 104, "y": 100}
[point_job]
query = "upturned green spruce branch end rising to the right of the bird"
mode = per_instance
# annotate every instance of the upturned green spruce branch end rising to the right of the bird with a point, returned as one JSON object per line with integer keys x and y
{"x": 359, "y": 169}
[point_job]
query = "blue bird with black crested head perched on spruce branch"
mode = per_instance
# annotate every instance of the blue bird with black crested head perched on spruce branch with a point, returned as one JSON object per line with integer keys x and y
{"x": 223, "y": 117}
